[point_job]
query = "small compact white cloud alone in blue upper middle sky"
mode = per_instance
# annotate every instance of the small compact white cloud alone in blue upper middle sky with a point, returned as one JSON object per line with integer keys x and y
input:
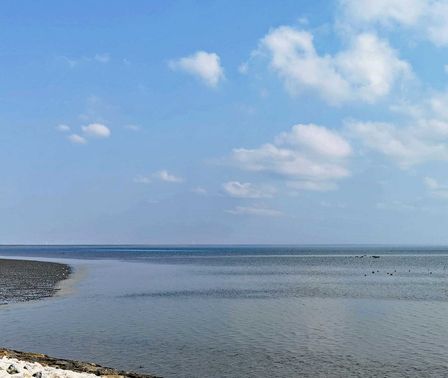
{"x": 206, "y": 66}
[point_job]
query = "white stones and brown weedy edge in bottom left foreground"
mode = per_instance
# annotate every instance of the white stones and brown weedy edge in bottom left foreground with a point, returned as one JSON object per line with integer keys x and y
{"x": 29, "y": 365}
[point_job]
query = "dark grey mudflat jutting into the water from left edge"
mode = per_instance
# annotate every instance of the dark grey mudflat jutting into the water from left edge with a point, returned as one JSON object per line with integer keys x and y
{"x": 23, "y": 280}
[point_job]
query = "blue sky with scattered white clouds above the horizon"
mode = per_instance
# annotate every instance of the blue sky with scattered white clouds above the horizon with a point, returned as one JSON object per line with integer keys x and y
{"x": 224, "y": 122}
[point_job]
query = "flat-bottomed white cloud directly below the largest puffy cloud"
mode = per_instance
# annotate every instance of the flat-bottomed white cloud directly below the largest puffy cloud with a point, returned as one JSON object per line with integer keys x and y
{"x": 307, "y": 153}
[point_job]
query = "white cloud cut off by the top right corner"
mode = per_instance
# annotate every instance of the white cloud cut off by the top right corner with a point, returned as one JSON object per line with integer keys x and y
{"x": 429, "y": 18}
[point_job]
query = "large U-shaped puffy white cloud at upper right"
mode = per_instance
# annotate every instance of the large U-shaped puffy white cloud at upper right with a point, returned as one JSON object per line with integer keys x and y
{"x": 366, "y": 71}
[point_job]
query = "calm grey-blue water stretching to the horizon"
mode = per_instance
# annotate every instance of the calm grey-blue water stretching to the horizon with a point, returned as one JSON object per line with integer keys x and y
{"x": 252, "y": 311}
